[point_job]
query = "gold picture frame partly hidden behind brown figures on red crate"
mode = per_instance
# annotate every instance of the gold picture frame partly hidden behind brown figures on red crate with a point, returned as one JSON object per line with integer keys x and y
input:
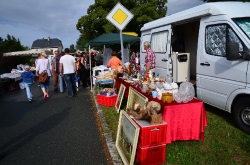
{"x": 134, "y": 96}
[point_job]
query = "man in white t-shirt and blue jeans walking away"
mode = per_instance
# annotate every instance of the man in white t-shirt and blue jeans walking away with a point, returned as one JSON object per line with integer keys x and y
{"x": 68, "y": 70}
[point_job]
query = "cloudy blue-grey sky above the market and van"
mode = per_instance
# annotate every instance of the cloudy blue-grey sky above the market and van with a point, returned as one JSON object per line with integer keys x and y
{"x": 29, "y": 20}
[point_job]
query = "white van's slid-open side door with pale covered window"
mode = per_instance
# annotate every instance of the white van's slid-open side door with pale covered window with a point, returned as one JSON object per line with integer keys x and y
{"x": 160, "y": 44}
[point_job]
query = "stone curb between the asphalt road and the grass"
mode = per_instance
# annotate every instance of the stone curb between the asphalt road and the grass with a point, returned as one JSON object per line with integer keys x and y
{"x": 108, "y": 136}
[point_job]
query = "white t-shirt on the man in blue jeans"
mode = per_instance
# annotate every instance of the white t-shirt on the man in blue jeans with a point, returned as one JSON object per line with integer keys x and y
{"x": 68, "y": 62}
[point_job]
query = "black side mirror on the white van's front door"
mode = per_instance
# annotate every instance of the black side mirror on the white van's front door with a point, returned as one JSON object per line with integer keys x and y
{"x": 232, "y": 51}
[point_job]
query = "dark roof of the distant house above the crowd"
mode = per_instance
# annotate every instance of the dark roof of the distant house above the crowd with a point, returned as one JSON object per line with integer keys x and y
{"x": 46, "y": 43}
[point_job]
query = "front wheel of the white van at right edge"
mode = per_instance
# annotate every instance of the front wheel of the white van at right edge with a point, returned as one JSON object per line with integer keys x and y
{"x": 241, "y": 114}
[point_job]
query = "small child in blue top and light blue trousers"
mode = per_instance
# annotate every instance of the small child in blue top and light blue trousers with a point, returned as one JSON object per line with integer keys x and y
{"x": 27, "y": 76}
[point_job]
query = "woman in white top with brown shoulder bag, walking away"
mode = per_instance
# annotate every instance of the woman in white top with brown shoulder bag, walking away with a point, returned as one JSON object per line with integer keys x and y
{"x": 42, "y": 65}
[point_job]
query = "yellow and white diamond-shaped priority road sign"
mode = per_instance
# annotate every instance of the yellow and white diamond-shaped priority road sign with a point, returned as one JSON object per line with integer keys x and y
{"x": 119, "y": 16}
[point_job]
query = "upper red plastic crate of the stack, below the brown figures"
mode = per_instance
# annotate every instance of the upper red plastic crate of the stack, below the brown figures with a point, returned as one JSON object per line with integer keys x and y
{"x": 151, "y": 135}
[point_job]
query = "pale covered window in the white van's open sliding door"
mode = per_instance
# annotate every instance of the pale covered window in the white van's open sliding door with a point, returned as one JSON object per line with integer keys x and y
{"x": 159, "y": 42}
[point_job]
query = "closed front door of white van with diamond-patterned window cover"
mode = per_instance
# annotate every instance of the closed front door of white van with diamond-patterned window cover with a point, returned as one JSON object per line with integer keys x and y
{"x": 217, "y": 77}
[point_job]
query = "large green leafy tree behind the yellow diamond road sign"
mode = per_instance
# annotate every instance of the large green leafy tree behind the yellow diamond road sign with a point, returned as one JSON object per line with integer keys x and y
{"x": 94, "y": 23}
